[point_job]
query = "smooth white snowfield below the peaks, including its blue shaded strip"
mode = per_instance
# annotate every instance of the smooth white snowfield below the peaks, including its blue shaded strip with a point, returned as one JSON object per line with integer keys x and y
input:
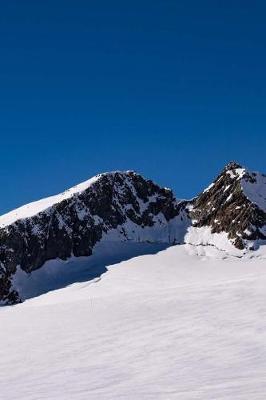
{"x": 169, "y": 325}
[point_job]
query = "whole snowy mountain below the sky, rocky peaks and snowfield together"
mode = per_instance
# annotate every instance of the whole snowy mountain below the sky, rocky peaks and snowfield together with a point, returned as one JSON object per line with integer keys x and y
{"x": 130, "y": 294}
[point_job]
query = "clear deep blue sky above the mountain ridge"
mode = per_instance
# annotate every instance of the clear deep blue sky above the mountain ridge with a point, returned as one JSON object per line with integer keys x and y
{"x": 172, "y": 89}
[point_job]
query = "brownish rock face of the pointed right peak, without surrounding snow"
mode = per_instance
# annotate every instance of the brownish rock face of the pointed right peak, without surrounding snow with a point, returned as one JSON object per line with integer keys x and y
{"x": 225, "y": 207}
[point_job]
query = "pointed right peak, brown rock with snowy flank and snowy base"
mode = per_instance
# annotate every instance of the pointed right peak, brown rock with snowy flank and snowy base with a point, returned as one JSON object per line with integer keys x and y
{"x": 231, "y": 211}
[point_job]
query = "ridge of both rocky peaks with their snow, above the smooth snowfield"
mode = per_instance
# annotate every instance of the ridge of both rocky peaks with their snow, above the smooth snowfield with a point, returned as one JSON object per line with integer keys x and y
{"x": 123, "y": 206}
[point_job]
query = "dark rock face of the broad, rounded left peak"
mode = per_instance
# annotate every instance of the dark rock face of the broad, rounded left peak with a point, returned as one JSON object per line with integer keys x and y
{"x": 125, "y": 202}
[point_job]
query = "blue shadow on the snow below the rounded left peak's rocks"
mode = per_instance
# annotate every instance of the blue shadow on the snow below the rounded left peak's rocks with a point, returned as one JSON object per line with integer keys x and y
{"x": 57, "y": 274}
